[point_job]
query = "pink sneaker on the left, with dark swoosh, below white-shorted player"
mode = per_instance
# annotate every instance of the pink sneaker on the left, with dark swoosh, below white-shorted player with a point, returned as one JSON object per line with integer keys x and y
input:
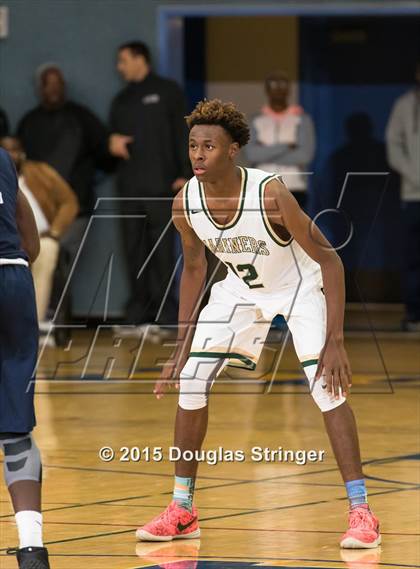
{"x": 174, "y": 523}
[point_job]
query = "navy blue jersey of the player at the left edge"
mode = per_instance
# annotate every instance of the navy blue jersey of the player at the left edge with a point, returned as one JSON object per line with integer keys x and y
{"x": 10, "y": 247}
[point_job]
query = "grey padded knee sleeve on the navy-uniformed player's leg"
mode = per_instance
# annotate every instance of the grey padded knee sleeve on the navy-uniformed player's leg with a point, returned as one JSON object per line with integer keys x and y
{"x": 22, "y": 459}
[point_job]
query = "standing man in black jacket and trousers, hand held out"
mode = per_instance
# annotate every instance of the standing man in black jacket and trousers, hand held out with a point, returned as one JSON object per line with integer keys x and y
{"x": 150, "y": 139}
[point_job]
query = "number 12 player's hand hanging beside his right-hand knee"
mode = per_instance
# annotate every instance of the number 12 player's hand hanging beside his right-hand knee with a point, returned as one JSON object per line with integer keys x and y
{"x": 334, "y": 368}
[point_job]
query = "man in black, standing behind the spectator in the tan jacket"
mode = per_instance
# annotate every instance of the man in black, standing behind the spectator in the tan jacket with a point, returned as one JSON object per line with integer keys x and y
{"x": 73, "y": 141}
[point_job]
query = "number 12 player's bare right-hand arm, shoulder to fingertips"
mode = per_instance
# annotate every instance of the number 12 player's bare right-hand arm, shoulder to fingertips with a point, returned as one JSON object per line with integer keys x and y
{"x": 285, "y": 215}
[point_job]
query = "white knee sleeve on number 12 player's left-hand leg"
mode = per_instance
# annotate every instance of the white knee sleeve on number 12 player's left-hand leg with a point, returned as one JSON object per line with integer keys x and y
{"x": 195, "y": 382}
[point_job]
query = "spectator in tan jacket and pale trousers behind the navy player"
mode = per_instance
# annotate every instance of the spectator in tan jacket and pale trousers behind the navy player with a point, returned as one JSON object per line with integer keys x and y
{"x": 54, "y": 205}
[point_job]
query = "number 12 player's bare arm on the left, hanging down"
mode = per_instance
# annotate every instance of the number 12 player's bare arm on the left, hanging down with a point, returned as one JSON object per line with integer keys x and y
{"x": 193, "y": 280}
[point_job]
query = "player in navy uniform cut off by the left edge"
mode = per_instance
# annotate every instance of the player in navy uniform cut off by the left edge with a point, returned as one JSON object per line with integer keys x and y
{"x": 19, "y": 246}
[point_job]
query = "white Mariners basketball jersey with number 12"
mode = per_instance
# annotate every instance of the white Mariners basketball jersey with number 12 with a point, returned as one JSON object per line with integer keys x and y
{"x": 258, "y": 260}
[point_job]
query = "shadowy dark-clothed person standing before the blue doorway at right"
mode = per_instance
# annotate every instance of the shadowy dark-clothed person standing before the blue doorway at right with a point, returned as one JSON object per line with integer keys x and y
{"x": 355, "y": 177}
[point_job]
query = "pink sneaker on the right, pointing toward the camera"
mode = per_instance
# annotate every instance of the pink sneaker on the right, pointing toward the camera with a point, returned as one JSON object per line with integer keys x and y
{"x": 363, "y": 532}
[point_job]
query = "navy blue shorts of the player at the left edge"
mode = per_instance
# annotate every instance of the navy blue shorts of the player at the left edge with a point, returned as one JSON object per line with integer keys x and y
{"x": 18, "y": 349}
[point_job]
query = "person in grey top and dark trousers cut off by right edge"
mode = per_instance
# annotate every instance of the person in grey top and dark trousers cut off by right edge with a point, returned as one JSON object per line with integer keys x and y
{"x": 403, "y": 146}
